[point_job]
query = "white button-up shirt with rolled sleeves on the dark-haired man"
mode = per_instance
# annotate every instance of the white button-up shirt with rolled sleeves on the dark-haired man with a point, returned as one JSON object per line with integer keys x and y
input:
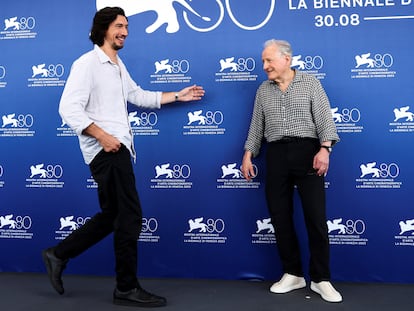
{"x": 97, "y": 91}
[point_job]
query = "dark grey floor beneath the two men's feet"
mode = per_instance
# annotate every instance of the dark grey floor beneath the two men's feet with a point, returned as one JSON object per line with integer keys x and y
{"x": 32, "y": 292}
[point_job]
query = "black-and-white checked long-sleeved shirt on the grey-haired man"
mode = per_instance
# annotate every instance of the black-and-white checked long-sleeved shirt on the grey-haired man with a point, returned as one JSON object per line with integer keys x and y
{"x": 303, "y": 110}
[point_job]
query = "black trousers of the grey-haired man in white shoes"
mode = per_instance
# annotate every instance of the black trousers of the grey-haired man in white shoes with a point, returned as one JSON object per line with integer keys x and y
{"x": 290, "y": 163}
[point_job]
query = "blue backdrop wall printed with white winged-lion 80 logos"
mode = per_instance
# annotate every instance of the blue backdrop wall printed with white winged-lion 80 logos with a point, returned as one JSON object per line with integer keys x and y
{"x": 202, "y": 220}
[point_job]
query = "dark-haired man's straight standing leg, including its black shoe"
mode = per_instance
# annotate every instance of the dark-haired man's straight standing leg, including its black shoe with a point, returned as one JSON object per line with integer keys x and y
{"x": 127, "y": 228}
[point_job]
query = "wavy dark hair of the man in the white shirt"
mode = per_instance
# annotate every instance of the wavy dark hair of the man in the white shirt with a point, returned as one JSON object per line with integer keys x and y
{"x": 103, "y": 18}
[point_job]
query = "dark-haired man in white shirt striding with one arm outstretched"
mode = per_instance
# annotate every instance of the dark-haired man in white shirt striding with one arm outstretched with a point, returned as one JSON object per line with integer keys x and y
{"x": 94, "y": 105}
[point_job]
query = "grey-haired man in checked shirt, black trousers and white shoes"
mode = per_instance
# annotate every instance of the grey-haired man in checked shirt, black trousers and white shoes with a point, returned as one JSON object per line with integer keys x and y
{"x": 292, "y": 113}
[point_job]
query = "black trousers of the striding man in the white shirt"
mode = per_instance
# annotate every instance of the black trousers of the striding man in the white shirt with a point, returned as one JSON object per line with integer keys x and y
{"x": 120, "y": 213}
